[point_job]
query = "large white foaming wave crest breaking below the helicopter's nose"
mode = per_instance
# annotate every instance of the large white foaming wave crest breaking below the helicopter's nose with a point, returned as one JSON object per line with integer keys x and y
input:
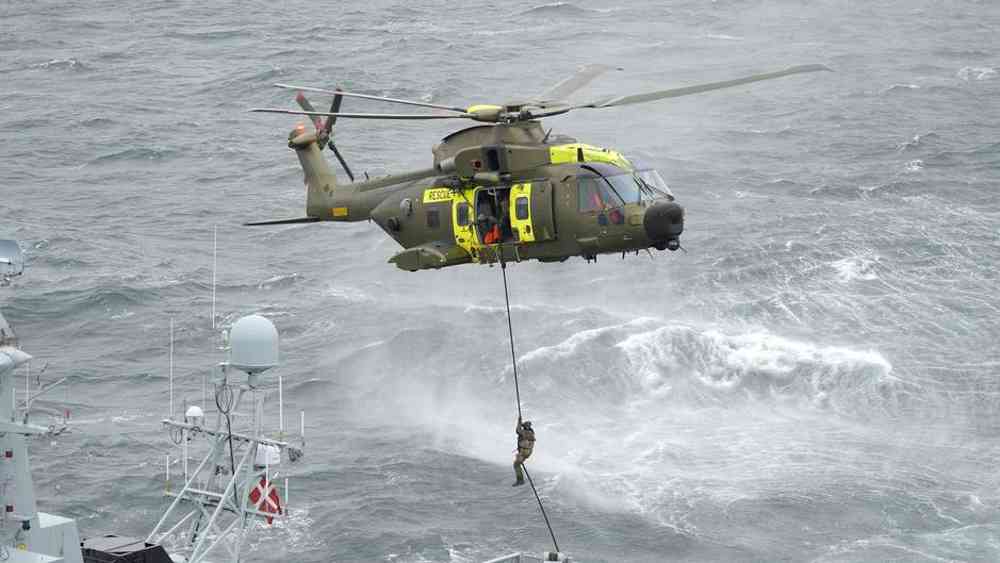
{"x": 643, "y": 359}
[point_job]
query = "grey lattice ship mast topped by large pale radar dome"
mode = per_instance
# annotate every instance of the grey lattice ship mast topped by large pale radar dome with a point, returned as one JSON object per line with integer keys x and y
{"x": 236, "y": 480}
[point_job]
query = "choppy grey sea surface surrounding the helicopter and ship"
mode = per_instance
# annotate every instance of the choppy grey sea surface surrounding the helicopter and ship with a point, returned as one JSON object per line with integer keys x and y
{"x": 814, "y": 380}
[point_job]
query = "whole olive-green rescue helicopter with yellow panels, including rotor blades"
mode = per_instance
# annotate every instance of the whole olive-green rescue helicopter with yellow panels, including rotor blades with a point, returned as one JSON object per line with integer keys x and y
{"x": 504, "y": 190}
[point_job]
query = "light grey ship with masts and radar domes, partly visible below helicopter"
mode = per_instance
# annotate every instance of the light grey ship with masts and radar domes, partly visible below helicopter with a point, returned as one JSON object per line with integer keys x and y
{"x": 227, "y": 479}
